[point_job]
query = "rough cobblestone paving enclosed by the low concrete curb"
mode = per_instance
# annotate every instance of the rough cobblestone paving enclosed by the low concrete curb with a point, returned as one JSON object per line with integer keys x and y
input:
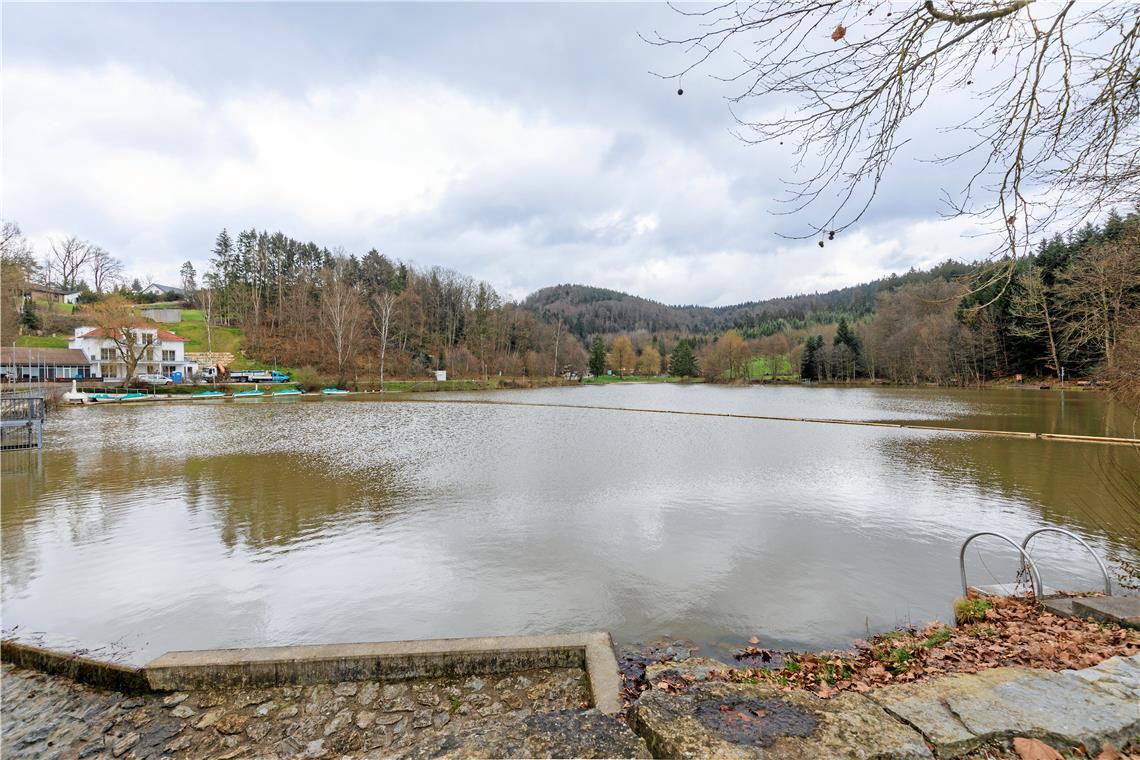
{"x": 48, "y": 717}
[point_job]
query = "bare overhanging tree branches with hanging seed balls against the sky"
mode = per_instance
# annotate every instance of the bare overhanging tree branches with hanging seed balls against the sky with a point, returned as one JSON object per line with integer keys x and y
{"x": 1055, "y": 134}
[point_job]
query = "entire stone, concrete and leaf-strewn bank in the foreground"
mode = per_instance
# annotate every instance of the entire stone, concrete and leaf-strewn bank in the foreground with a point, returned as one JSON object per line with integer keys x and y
{"x": 568, "y": 697}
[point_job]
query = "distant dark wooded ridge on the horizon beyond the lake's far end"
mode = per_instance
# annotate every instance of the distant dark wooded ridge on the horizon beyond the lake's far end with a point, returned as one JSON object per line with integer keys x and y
{"x": 591, "y": 310}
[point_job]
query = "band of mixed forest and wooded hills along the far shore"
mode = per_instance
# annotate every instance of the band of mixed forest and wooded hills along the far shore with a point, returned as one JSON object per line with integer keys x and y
{"x": 1074, "y": 305}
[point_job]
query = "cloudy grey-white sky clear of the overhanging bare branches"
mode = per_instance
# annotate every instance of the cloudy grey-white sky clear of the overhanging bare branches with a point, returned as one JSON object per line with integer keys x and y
{"x": 526, "y": 145}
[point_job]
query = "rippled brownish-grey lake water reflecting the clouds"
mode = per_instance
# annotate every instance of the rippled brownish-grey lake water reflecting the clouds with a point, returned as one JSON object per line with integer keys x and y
{"x": 203, "y": 525}
